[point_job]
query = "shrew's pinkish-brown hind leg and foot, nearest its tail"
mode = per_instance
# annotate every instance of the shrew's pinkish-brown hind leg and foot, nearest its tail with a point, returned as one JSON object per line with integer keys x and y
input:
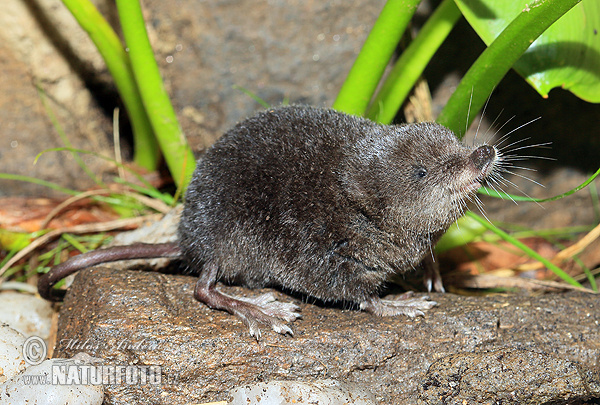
{"x": 264, "y": 309}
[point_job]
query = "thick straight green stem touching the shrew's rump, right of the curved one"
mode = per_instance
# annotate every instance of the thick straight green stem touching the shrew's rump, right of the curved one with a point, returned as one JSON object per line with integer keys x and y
{"x": 171, "y": 139}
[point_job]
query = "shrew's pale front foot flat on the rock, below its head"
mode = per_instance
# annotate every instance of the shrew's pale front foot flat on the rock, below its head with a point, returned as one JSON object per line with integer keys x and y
{"x": 404, "y": 304}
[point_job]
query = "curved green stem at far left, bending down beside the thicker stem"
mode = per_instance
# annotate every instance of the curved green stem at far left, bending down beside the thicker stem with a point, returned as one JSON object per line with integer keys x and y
{"x": 108, "y": 44}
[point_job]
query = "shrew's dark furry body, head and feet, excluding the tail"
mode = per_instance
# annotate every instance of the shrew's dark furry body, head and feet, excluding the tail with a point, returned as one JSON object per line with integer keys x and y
{"x": 324, "y": 204}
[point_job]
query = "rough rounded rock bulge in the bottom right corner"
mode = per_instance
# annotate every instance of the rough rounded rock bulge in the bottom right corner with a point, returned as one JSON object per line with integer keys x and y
{"x": 508, "y": 376}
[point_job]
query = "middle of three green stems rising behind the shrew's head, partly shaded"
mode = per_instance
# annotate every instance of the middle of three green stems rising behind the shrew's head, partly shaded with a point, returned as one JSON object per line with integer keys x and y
{"x": 413, "y": 61}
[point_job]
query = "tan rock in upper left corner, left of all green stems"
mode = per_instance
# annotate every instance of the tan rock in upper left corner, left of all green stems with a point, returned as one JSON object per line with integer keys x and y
{"x": 42, "y": 46}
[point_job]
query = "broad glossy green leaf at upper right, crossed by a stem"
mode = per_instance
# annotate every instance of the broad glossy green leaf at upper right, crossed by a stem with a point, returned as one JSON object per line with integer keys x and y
{"x": 567, "y": 55}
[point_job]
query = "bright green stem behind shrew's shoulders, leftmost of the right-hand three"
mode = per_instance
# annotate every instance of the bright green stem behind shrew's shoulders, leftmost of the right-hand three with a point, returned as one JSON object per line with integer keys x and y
{"x": 369, "y": 66}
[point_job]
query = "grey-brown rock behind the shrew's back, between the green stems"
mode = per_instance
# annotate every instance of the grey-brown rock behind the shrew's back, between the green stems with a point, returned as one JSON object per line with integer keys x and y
{"x": 278, "y": 50}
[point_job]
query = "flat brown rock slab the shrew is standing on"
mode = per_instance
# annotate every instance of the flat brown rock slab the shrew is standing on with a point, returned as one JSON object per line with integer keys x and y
{"x": 147, "y": 318}
